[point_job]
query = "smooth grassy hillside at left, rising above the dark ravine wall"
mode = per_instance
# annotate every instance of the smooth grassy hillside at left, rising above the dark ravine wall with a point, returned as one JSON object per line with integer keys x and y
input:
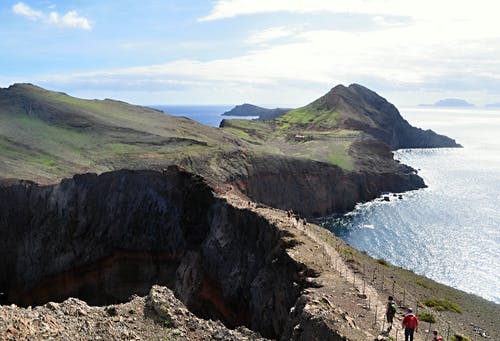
{"x": 46, "y": 135}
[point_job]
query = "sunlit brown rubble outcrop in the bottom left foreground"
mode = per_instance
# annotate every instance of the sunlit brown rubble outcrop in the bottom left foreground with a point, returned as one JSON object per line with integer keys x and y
{"x": 158, "y": 316}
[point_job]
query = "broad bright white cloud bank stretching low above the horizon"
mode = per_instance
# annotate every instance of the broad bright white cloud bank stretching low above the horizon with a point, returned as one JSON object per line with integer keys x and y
{"x": 417, "y": 56}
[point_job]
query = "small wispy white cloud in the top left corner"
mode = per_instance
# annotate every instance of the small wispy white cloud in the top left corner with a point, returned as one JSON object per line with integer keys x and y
{"x": 69, "y": 19}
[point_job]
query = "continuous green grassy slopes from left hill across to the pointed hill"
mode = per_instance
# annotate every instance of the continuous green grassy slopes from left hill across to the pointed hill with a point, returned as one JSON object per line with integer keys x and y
{"x": 46, "y": 135}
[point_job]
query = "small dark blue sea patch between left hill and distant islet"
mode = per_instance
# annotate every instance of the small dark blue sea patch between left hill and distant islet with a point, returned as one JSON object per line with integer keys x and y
{"x": 207, "y": 114}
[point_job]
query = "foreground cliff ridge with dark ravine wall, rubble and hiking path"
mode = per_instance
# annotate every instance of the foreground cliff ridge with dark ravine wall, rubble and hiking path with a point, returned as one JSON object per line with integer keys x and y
{"x": 109, "y": 237}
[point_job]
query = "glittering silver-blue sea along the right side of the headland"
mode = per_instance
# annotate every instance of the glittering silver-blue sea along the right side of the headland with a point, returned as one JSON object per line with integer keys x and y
{"x": 450, "y": 231}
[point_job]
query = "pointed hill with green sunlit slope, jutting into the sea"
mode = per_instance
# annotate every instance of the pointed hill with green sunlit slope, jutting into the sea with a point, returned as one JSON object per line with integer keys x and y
{"x": 350, "y": 127}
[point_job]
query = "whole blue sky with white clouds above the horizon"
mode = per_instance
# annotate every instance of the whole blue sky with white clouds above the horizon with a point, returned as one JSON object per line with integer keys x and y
{"x": 265, "y": 52}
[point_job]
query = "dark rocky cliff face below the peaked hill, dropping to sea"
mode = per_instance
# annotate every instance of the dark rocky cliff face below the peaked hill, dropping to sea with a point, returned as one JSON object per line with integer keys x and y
{"x": 315, "y": 189}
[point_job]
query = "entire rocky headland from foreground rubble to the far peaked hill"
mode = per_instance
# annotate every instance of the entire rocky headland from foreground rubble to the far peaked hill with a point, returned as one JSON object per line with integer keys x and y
{"x": 204, "y": 212}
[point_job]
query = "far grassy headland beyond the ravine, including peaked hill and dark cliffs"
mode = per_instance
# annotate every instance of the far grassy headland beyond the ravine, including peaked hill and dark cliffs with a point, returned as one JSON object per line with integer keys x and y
{"x": 346, "y": 134}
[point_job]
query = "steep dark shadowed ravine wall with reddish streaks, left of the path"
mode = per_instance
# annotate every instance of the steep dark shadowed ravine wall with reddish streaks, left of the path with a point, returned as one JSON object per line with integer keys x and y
{"x": 103, "y": 238}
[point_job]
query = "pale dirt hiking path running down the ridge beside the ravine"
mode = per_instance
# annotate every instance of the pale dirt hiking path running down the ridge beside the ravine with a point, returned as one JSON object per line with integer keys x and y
{"x": 344, "y": 288}
